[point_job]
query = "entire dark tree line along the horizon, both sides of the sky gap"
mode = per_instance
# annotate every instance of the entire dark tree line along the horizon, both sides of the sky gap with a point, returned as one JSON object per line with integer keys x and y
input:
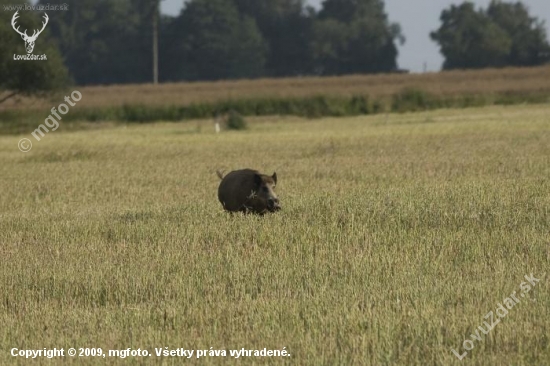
{"x": 111, "y": 41}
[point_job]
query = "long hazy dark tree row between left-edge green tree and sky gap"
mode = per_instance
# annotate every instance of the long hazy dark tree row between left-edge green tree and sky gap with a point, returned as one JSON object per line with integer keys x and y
{"x": 110, "y": 41}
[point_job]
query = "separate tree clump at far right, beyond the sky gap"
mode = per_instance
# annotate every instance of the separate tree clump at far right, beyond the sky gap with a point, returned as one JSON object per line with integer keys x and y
{"x": 504, "y": 35}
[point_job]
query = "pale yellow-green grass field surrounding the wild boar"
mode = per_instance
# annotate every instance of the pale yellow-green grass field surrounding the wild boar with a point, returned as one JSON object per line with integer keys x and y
{"x": 398, "y": 234}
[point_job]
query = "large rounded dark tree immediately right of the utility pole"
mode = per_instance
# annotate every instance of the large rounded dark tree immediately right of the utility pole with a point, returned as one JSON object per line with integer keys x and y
{"x": 212, "y": 41}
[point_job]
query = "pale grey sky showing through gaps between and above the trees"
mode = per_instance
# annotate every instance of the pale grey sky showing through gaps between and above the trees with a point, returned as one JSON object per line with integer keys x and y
{"x": 417, "y": 18}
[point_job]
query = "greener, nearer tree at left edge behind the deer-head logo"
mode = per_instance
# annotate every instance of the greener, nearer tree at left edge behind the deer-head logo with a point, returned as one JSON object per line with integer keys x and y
{"x": 18, "y": 77}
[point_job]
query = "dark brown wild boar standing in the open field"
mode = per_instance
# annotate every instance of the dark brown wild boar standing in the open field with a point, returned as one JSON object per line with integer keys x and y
{"x": 248, "y": 191}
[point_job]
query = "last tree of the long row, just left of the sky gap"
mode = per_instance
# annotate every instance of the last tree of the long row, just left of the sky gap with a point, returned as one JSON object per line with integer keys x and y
{"x": 354, "y": 36}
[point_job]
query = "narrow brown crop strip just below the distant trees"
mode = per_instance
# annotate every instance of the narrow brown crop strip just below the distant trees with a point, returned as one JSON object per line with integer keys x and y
{"x": 488, "y": 81}
